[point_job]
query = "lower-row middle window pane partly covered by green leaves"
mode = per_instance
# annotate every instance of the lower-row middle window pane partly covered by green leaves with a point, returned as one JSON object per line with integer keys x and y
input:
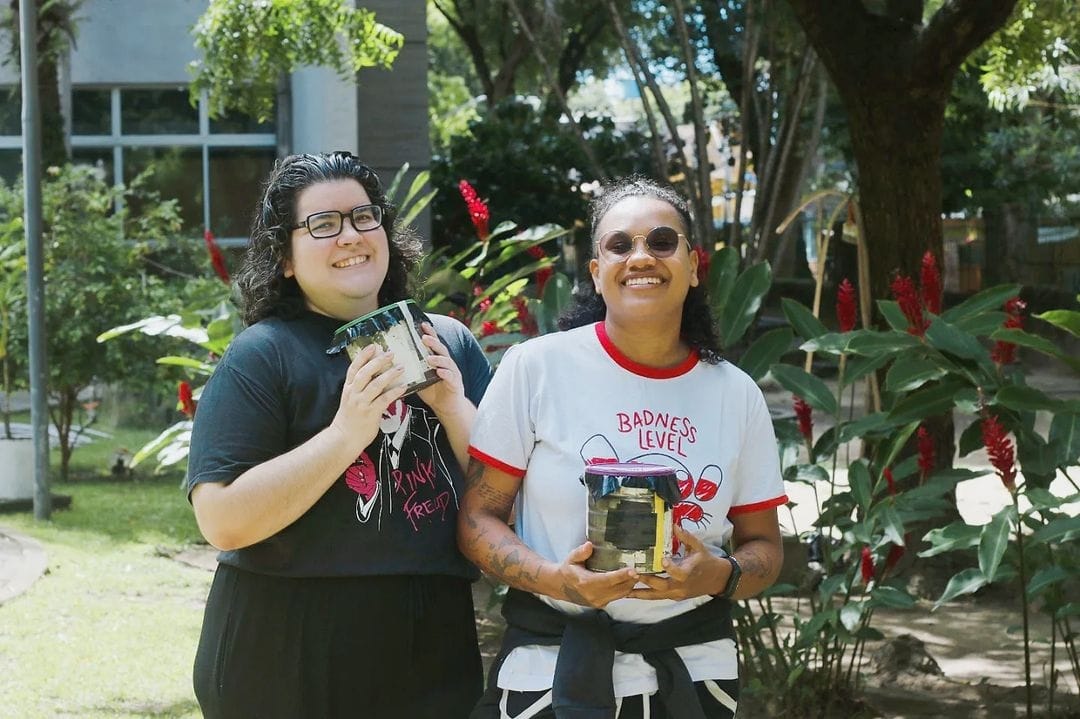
{"x": 178, "y": 177}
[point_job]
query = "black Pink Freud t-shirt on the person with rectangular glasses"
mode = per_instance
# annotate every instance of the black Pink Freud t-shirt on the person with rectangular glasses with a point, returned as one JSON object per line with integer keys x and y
{"x": 394, "y": 512}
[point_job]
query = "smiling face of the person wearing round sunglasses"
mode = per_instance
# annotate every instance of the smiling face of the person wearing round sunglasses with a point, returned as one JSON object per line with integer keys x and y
{"x": 643, "y": 288}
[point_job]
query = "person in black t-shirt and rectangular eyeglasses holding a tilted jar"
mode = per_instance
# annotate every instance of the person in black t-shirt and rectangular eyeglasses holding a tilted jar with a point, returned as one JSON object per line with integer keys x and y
{"x": 341, "y": 591}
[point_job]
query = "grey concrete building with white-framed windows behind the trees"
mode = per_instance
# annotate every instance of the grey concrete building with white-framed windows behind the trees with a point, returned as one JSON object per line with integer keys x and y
{"x": 126, "y": 99}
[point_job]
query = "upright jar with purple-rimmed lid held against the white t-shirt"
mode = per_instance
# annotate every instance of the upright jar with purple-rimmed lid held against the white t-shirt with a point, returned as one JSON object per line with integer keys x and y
{"x": 630, "y": 515}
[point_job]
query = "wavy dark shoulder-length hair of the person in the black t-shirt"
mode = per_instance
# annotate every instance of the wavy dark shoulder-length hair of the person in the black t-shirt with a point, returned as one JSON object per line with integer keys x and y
{"x": 265, "y": 291}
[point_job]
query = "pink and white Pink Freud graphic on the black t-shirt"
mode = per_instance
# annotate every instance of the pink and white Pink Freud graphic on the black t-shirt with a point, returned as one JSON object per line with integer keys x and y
{"x": 409, "y": 471}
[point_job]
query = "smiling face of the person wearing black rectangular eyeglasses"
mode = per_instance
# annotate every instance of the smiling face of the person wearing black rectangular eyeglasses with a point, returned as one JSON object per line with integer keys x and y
{"x": 340, "y": 277}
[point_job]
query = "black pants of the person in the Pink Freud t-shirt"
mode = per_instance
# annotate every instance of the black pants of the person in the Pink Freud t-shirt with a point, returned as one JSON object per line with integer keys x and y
{"x": 375, "y": 647}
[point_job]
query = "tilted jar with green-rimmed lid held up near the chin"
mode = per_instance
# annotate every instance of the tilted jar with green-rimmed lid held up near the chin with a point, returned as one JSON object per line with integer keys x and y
{"x": 396, "y": 329}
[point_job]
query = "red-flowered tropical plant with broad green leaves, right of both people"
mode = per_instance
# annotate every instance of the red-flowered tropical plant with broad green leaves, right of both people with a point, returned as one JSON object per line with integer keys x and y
{"x": 934, "y": 361}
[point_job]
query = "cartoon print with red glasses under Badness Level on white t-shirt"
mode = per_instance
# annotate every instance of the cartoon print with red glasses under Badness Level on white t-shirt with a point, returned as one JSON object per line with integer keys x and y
{"x": 695, "y": 490}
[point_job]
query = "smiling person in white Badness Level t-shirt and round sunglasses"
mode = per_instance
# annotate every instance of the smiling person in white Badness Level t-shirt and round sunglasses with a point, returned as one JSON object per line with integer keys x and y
{"x": 637, "y": 376}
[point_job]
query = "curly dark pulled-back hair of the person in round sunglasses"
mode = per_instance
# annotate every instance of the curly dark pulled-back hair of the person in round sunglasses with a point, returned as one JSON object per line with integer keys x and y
{"x": 588, "y": 307}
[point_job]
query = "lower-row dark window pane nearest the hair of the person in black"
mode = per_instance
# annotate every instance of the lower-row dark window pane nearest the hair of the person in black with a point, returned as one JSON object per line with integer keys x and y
{"x": 236, "y": 180}
